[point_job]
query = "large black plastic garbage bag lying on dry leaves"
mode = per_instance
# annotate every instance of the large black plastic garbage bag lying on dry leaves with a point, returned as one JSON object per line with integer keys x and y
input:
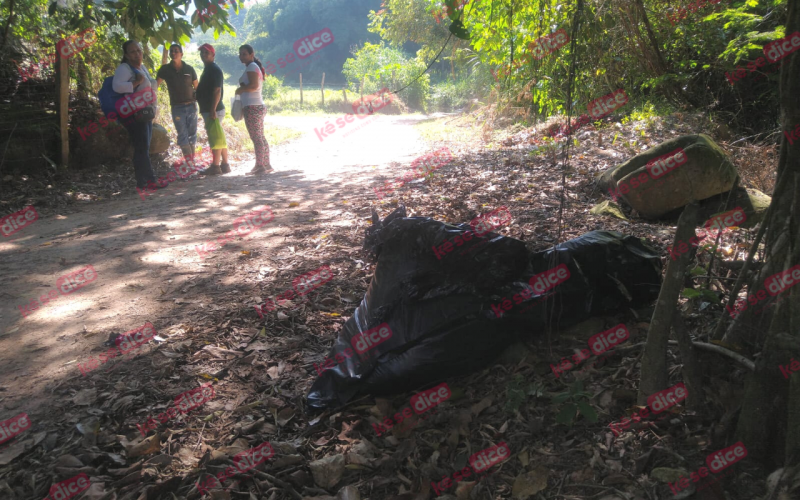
{"x": 430, "y": 314}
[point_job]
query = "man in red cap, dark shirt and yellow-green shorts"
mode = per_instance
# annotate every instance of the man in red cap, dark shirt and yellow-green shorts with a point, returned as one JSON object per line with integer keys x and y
{"x": 209, "y": 98}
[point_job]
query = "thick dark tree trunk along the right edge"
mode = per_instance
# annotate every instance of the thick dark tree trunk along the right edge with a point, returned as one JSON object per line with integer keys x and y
{"x": 770, "y": 419}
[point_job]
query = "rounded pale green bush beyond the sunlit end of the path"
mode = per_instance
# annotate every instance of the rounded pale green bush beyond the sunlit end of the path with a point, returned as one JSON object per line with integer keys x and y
{"x": 375, "y": 63}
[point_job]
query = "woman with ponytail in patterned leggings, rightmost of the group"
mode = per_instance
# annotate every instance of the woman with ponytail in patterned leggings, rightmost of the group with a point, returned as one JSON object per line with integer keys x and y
{"x": 253, "y": 107}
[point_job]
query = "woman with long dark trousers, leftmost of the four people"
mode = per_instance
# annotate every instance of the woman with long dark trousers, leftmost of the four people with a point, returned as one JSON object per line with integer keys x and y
{"x": 137, "y": 110}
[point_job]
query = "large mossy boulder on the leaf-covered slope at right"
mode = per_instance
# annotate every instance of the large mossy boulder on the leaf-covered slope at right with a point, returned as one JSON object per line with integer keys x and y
{"x": 671, "y": 175}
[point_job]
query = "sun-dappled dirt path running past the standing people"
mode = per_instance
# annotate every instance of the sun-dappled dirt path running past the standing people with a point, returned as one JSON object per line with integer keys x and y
{"x": 144, "y": 253}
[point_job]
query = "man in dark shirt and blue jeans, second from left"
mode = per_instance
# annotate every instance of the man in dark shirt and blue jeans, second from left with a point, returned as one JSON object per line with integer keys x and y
{"x": 181, "y": 81}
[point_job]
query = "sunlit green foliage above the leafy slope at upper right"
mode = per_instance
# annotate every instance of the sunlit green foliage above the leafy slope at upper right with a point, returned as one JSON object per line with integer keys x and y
{"x": 684, "y": 62}
